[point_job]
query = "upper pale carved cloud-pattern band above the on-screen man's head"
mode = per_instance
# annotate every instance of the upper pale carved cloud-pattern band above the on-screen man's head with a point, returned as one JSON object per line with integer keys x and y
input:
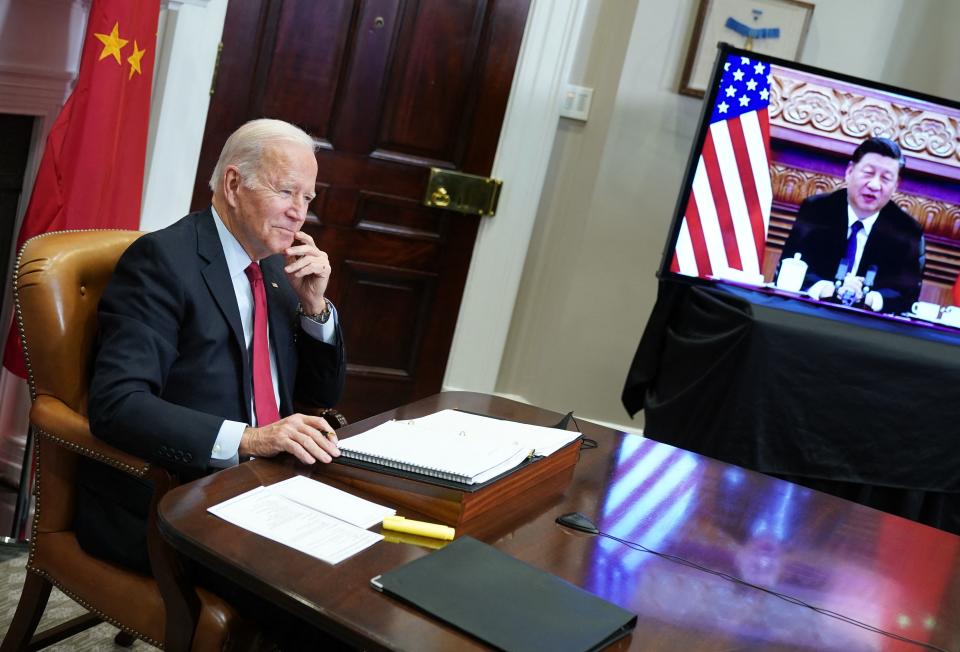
{"x": 802, "y": 104}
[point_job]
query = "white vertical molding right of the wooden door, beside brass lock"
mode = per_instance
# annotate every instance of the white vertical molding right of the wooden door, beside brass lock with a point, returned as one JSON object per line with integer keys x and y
{"x": 523, "y": 155}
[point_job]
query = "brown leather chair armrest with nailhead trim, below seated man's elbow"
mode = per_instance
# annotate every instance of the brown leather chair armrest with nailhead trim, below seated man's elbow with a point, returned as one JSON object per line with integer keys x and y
{"x": 54, "y": 419}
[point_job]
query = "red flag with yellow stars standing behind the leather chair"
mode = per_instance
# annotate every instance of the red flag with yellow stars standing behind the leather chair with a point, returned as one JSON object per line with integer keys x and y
{"x": 91, "y": 173}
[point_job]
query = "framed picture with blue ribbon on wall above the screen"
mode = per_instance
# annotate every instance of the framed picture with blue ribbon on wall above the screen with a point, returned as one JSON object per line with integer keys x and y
{"x": 774, "y": 27}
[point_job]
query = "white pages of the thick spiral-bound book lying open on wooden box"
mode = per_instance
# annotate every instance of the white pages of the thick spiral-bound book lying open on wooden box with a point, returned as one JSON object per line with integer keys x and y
{"x": 454, "y": 445}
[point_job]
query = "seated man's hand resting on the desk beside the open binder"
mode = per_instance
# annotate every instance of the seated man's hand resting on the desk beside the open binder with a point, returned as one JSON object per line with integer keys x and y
{"x": 306, "y": 437}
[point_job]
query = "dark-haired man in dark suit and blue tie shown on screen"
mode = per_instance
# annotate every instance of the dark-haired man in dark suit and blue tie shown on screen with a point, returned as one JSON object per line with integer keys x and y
{"x": 859, "y": 246}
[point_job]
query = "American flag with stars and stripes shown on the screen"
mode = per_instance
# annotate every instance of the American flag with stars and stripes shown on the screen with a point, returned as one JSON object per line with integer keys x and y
{"x": 725, "y": 223}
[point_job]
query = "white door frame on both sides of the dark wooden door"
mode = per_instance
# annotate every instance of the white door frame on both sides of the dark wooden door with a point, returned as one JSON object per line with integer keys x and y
{"x": 185, "y": 66}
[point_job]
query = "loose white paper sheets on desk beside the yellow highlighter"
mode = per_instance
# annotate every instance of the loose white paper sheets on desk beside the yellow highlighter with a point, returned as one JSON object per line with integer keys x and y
{"x": 307, "y": 515}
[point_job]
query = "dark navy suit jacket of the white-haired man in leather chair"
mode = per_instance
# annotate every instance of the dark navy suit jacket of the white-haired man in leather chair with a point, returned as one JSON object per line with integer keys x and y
{"x": 170, "y": 365}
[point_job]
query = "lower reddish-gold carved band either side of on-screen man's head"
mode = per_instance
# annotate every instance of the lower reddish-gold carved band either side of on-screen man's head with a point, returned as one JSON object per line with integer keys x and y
{"x": 792, "y": 185}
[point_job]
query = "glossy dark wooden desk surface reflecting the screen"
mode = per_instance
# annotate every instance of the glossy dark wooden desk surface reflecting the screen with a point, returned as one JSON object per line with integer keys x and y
{"x": 879, "y": 569}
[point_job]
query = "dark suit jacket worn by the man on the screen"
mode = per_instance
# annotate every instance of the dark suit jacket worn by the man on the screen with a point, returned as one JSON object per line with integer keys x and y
{"x": 895, "y": 246}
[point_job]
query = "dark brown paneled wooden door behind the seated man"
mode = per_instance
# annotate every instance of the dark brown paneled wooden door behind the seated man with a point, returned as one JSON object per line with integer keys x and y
{"x": 389, "y": 88}
